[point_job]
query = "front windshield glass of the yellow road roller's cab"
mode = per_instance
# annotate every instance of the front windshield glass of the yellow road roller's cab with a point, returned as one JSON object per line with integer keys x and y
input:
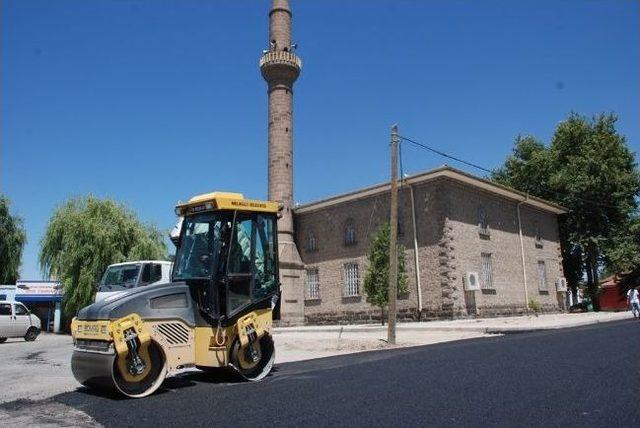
{"x": 204, "y": 238}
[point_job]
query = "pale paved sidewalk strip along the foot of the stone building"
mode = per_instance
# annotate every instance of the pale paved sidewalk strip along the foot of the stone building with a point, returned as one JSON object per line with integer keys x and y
{"x": 479, "y": 325}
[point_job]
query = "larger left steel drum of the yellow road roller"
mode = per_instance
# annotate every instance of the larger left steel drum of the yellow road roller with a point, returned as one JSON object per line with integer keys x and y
{"x": 101, "y": 371}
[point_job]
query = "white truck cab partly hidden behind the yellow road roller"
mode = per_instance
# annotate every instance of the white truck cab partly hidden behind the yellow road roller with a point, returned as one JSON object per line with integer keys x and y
{"x": 122, "y": 277}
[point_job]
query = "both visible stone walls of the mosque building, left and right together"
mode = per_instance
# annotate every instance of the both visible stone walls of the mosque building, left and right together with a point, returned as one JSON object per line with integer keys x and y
{"x": 448, "y": 246}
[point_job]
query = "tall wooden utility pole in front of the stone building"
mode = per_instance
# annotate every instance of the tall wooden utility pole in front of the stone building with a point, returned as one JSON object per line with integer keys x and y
{"x": 393, "y": 241}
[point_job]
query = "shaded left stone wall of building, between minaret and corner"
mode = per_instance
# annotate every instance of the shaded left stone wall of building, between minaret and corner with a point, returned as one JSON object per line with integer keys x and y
{"x": 328, "y": 226}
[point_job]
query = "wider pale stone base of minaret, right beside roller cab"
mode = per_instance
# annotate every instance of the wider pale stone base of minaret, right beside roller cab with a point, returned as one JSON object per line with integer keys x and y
{"x": 291, "y": 285}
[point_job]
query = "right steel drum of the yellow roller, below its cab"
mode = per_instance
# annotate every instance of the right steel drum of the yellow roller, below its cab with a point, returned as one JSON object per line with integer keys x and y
{"x": 255, "y": 361}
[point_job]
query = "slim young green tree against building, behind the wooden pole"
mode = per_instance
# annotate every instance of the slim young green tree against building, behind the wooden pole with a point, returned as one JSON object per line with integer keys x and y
{"x": 376, "y": 281}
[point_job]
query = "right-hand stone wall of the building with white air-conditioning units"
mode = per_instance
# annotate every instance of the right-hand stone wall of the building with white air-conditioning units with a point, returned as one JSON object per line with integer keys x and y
{"x": 507, "y": 295}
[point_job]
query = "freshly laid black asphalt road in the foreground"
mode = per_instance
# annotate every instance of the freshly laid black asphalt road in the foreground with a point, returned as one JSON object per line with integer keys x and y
{"x": 572, "y": 377}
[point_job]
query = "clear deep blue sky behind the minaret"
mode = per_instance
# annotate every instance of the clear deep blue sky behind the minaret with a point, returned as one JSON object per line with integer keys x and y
{"x": 150, "y": 102}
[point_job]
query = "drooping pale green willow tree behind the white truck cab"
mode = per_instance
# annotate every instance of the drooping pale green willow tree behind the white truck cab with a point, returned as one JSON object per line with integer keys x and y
{"x": 87, "y": 234}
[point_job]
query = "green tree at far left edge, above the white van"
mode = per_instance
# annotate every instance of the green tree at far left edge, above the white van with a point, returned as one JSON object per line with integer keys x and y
{"x": 12, "y": 240}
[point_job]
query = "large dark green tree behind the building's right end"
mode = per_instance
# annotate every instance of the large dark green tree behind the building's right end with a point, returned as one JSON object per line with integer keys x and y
{"x": 589, "y": 169}
